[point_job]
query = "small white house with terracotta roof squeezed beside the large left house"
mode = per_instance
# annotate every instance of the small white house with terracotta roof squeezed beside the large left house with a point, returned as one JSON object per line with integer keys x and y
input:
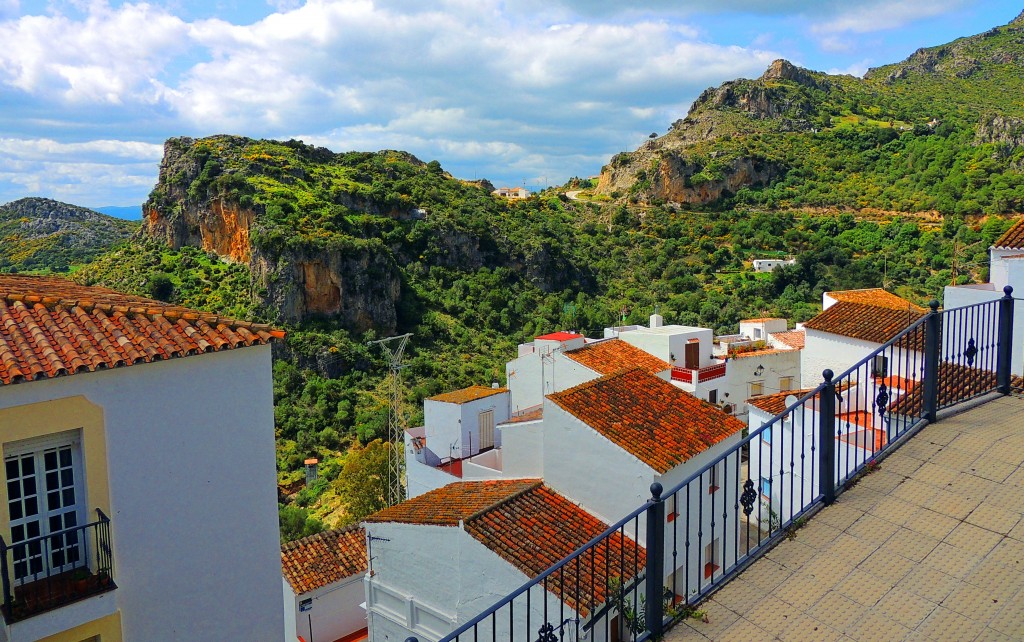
{"x": 324, "y": 590}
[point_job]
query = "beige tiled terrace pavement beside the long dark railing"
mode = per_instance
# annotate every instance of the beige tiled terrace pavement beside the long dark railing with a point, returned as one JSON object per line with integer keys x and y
{"x": 929, "y": 547}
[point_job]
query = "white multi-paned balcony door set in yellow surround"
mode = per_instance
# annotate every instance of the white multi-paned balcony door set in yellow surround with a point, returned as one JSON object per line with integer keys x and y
{"x": 44, "y": 498}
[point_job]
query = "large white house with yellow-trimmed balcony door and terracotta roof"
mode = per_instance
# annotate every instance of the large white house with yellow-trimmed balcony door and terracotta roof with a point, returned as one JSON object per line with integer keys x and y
{"x": 154, "y": 426}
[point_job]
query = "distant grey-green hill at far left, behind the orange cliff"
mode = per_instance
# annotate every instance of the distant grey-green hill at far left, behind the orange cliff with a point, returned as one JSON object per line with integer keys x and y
{"x": 46, "y": 235}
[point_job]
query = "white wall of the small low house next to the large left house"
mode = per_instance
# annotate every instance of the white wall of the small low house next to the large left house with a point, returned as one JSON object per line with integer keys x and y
{"x": 335, "y": 611}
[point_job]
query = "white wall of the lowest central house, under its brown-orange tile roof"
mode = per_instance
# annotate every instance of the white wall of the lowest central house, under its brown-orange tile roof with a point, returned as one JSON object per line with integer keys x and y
{"x": 425, "y": 581}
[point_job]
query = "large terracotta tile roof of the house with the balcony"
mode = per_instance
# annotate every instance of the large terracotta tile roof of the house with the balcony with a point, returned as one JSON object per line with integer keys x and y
{"x": 52, "y": 327}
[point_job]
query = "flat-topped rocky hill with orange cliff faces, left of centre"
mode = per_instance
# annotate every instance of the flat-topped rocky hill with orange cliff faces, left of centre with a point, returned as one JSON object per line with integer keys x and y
{"x": 332, "y": 236}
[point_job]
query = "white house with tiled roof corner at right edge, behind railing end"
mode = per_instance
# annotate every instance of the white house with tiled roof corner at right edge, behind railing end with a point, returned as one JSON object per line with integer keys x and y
{"x": 1006, "y": 269}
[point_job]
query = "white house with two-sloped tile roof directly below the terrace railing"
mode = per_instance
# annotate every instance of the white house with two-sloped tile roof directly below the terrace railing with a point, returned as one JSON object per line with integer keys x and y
{"x": 439, "y": 560}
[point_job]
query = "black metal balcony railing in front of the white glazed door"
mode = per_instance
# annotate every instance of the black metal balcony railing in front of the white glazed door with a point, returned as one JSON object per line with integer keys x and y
{"x": 56, "y": 570}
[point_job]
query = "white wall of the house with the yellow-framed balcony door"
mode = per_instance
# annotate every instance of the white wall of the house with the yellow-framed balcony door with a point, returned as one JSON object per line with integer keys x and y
{"x": 191, "y": 472}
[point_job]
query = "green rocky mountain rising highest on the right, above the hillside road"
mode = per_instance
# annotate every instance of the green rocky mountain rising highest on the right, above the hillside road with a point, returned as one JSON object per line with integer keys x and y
{"x": 942, "y": 131}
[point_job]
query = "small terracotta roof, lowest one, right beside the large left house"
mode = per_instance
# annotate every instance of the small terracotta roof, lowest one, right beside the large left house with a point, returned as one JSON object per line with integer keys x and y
{"x": 316, "y": 562}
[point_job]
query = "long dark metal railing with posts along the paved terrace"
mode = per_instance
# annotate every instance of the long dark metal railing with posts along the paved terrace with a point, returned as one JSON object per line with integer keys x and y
{"x": 731, "y": 512}
